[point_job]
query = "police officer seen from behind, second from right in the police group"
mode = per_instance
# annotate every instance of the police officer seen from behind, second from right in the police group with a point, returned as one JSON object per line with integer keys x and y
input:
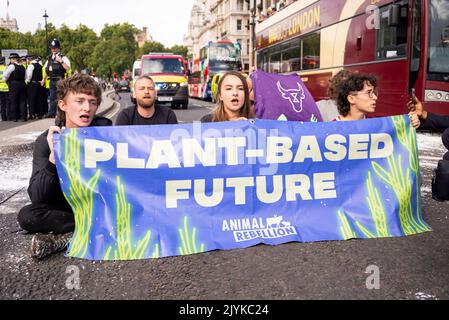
{"x": 34, "y": 78}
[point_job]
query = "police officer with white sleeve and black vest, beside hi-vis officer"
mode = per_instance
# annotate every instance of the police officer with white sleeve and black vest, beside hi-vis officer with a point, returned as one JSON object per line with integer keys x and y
{"x": 15, "y": 78}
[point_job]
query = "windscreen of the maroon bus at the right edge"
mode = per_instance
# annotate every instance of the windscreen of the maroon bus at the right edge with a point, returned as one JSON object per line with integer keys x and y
{"x": 439, "y": 40}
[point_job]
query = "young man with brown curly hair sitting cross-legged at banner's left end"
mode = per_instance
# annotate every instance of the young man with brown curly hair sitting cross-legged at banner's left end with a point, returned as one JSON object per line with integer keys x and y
{"x": 49, "y": 213}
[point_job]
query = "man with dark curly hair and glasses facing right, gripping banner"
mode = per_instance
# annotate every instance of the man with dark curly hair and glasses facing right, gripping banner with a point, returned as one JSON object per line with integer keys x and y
{"x": 357, "y": 98}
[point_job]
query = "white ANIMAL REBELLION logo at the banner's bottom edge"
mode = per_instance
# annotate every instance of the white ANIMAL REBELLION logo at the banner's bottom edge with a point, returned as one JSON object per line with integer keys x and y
{"x": 250, "y": 229}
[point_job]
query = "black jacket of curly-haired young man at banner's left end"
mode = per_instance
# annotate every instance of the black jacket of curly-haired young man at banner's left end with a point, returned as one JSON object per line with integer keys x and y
{"x": 44, "y": 185}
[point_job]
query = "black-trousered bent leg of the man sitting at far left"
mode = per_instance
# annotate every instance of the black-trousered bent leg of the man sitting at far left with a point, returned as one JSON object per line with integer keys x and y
{"x": 43, "y": 218}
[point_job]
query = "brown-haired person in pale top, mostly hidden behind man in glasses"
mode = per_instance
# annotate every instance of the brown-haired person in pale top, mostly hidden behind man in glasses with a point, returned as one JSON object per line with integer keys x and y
{"x": 328, "y": 108}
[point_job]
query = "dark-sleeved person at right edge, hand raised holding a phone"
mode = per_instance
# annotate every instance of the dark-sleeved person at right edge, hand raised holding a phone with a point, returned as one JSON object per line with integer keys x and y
{"x": 431, "y": 121}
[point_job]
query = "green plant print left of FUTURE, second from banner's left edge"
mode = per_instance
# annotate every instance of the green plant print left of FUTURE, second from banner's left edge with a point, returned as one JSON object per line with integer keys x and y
{"x": 125, "y": 250}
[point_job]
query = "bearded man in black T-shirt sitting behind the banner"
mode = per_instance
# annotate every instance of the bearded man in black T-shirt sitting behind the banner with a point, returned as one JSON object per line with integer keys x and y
{"x": 146, "y": 112}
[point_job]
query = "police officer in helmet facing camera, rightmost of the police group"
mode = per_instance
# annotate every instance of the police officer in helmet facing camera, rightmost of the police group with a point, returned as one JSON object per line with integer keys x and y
{"x": 55, "y": 68}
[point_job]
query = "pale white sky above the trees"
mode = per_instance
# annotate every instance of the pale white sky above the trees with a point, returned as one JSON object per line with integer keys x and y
{"x": 167, "y": 20}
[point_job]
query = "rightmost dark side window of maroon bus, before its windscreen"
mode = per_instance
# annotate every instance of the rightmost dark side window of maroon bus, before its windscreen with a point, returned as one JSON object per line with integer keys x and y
{"x": 392, "y": 40}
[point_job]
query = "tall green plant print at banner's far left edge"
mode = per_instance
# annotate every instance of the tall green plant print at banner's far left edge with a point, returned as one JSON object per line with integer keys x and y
{"x": 80, "y": 196}
